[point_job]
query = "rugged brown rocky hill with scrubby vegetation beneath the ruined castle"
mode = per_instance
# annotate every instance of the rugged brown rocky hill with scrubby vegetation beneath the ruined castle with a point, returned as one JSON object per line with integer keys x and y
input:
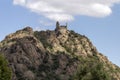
{"x": 55, "y": 55}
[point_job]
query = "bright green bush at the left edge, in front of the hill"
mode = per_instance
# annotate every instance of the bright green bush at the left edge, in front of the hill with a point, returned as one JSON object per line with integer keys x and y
{"x": 5, "y": 71}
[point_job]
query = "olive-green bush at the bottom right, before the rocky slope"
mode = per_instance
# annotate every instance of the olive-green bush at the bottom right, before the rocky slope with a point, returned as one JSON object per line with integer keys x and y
{"x": 91, "y": 69}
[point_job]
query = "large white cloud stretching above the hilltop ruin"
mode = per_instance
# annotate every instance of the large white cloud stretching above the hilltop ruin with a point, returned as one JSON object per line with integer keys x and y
{"x": 65, "y": 10}
